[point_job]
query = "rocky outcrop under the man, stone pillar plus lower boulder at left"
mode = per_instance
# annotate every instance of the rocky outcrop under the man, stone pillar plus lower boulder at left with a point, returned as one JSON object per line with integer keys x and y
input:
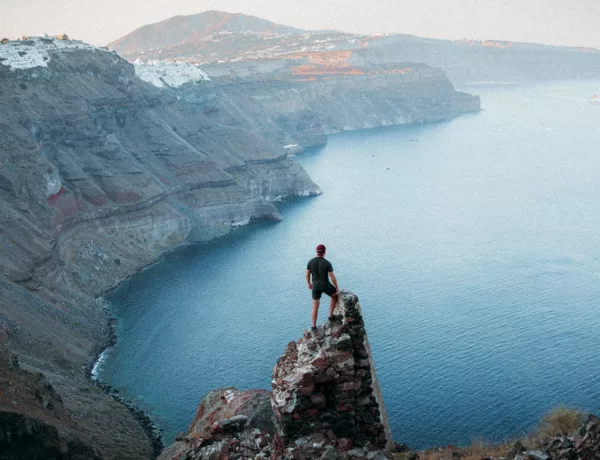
{"x": 326, "y": 403}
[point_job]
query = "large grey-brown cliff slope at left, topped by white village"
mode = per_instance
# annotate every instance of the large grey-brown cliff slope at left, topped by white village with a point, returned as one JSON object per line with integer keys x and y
{"x": 100, "y": 174}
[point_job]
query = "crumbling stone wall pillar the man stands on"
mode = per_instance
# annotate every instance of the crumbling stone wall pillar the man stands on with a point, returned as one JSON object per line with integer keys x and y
{"x": 324, "y": 386}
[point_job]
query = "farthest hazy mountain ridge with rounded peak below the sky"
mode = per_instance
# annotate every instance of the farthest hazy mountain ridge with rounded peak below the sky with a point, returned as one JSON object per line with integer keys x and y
{"x": 236, "y": 51}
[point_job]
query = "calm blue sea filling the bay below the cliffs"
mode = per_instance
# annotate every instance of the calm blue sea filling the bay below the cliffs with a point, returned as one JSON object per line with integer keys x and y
{"x": 474, "y": 248}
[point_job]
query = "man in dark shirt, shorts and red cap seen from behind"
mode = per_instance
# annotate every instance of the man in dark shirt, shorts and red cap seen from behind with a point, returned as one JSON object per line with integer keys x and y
{"x": 321, "y": 270}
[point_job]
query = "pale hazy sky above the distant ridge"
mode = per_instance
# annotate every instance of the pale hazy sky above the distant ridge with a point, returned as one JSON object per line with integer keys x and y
{"x": 560, "y": 22}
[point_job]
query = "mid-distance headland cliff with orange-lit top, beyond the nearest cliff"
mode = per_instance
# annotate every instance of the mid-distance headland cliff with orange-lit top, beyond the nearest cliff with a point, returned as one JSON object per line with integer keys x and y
{"x": 299, "y": 106}
